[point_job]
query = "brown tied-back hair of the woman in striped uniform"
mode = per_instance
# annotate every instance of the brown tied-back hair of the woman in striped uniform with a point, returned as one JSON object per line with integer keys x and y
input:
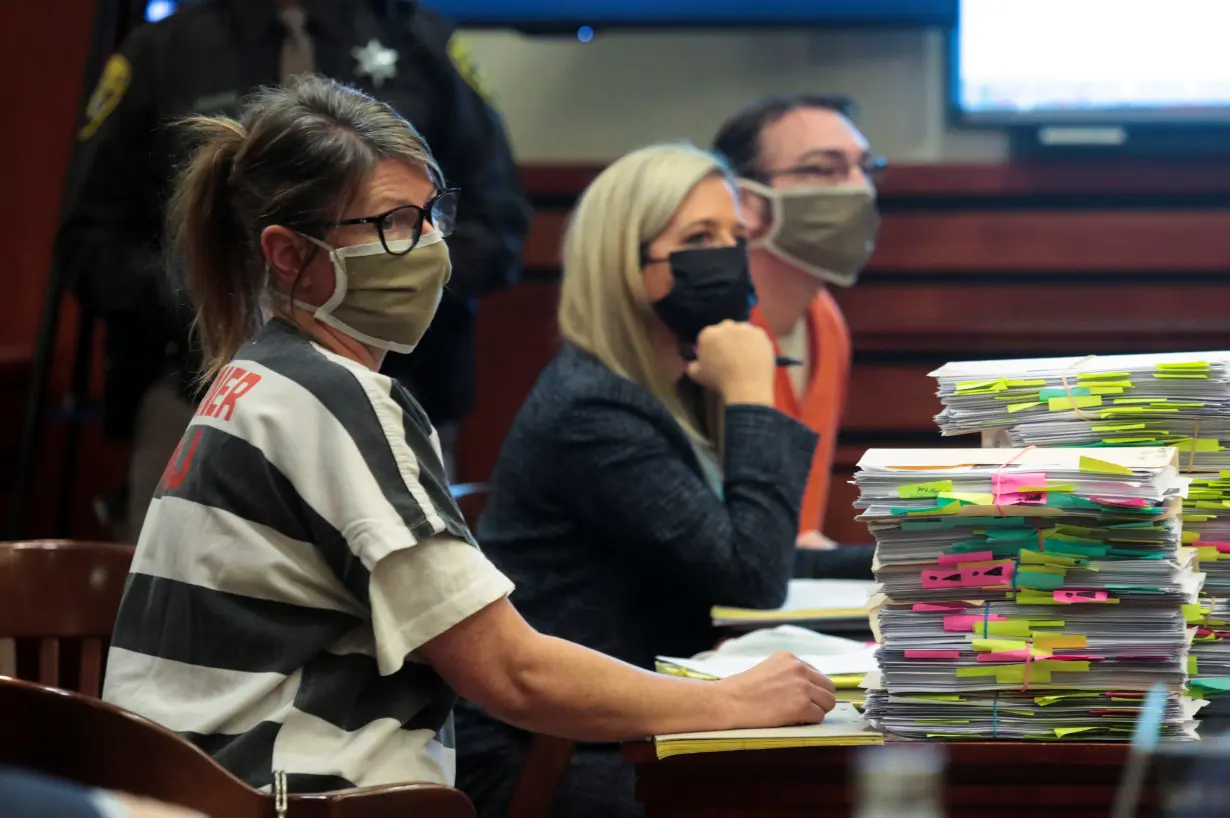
{"x": 301, "y": 154}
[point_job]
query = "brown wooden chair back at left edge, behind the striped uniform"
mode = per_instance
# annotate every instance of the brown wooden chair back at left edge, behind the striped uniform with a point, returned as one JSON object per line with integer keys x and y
{"x": 58, "y": 603}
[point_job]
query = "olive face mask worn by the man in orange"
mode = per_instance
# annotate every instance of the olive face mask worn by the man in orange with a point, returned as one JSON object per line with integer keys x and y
{"x": 827, "y": 232}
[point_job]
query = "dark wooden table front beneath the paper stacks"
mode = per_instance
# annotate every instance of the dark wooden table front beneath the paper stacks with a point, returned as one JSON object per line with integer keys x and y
{"x": 998, "y": 780}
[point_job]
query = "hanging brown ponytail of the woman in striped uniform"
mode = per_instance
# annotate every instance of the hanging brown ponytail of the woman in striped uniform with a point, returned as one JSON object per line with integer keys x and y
{"x": 211, "y": 244}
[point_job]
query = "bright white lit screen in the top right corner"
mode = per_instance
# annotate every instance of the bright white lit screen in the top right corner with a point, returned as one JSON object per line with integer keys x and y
{"x": 1092, "y": 63}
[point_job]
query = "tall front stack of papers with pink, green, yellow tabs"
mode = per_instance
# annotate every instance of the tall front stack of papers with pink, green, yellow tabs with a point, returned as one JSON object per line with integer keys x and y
{"x": 1028, "y": 594}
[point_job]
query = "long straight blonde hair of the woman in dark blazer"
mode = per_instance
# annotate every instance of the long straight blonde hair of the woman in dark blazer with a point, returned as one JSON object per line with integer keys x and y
{"x": 603, "y": 306}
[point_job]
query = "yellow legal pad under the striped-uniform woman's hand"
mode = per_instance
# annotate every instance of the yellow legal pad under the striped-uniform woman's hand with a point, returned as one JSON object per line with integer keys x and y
{"x": 843, "y": 726}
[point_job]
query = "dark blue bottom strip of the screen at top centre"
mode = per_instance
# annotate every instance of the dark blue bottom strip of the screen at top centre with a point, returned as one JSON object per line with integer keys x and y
{"x": 564, "y": 15}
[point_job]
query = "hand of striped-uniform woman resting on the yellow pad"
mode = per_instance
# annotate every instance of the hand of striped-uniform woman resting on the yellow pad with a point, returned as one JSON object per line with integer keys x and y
{"x": 778, "y": 693}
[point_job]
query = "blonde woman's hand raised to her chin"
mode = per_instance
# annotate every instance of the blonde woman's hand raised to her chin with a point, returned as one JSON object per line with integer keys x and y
{"x": 736, "y": 361}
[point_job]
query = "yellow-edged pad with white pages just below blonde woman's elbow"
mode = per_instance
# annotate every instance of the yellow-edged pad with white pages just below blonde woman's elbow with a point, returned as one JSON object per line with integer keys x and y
{"x": 835, "y": 605}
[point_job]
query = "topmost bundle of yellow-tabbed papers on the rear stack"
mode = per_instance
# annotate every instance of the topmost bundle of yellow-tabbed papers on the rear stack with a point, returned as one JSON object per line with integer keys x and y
{"x": 1178, "y": 400}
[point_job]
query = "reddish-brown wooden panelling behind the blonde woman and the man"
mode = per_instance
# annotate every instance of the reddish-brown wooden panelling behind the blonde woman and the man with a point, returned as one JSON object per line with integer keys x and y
{"x": 975, "y": 261}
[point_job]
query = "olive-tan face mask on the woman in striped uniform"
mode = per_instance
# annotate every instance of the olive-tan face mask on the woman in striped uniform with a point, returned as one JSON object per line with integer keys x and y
{"x": 386, "y": 301}
